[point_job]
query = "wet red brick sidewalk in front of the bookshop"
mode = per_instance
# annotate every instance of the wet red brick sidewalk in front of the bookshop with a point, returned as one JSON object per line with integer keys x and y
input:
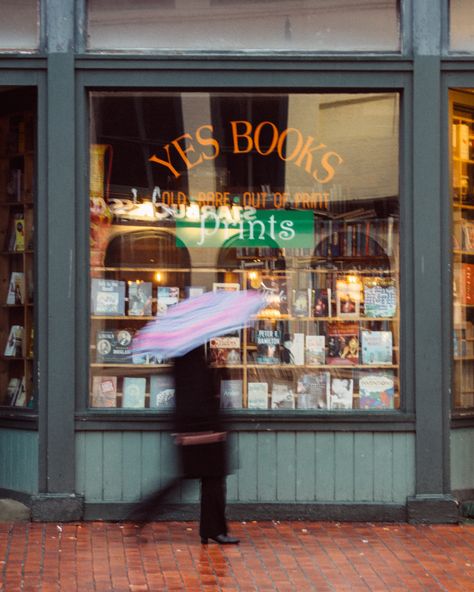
{"x": 284, "y": 557}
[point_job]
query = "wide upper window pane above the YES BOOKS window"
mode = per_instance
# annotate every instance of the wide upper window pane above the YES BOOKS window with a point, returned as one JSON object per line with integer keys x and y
{"x": 298, "y": 25}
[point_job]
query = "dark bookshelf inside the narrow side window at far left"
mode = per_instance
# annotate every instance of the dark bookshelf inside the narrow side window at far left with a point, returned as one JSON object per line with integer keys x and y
{"x": 17, "y": 189}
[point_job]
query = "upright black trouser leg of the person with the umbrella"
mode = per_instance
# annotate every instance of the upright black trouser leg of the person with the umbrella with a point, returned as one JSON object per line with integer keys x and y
{"x": 213, "y": 494}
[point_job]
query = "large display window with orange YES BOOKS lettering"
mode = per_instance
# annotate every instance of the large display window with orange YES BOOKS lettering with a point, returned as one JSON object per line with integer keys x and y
{"x": 296, "y": 195}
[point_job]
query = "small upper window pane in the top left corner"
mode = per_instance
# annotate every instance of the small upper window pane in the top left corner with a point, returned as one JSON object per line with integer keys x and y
{"x": 19, "y": 25}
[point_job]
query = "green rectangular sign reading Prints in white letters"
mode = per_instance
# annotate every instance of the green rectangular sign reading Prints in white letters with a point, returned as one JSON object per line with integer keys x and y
{"x": 257, "y": 228}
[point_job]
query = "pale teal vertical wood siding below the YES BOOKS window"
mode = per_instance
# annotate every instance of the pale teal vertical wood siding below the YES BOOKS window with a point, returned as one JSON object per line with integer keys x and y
{"x": 271, "y": 466}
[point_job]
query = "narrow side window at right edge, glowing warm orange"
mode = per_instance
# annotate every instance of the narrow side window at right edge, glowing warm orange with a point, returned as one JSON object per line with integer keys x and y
{"x": 462, "y": 131}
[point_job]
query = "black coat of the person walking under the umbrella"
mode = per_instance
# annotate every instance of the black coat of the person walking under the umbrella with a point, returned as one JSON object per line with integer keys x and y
{"x": 197, "y": 410}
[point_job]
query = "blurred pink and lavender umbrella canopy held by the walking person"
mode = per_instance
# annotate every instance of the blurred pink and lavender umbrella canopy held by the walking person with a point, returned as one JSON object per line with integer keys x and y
{"x": 194, "y": 321}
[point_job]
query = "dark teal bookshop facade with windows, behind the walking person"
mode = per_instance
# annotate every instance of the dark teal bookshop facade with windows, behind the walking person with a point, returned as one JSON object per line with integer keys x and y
{"x": 320, "y": 154}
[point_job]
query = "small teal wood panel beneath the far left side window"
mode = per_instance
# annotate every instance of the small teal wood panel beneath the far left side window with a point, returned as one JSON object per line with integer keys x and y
{"x": 19, "y": 466}
